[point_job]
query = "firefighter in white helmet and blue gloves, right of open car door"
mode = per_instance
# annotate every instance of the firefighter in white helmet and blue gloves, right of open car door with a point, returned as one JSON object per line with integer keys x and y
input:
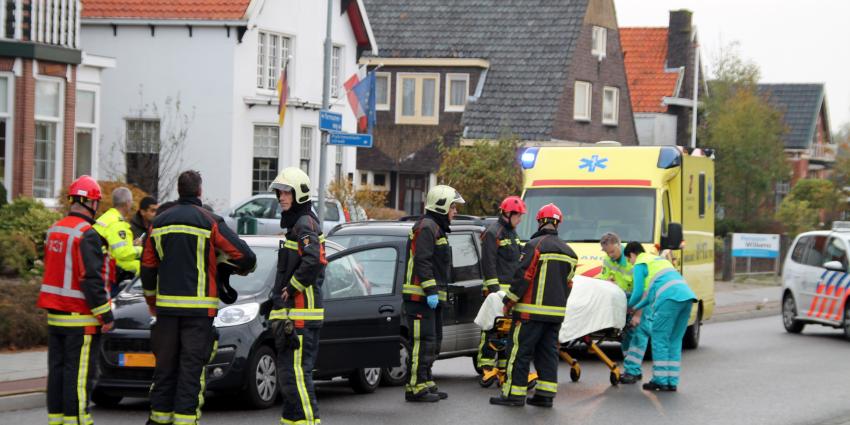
{"x": 425, "y": 286}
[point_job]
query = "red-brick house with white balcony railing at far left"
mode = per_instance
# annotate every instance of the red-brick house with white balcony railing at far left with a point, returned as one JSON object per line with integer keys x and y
{"x": 49, "y": 99}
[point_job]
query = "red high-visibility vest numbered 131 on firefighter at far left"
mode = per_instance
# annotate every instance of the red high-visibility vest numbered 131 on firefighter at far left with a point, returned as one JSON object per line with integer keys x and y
{"x": 63, "y": 271}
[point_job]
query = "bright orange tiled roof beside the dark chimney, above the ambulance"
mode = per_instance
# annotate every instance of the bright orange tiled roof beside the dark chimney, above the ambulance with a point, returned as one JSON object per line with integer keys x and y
{"x": 645, "y": 51}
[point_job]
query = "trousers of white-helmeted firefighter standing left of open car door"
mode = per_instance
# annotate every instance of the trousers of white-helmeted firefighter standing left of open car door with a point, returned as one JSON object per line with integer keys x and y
{"x": 296, "y": 379}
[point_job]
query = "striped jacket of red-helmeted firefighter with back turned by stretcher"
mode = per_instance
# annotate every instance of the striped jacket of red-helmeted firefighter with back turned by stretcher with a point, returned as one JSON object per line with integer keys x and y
{"x": 542, "y": 283}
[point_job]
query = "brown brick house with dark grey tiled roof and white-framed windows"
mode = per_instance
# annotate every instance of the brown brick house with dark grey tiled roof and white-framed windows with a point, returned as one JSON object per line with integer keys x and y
{"x": 459, "y": 71}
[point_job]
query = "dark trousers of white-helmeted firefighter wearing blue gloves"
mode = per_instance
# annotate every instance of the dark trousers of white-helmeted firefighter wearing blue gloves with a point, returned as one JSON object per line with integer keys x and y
{"x": 422, "y": 337}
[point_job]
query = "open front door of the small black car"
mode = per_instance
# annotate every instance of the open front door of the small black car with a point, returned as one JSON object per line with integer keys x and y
{"x": 363, "y": 305}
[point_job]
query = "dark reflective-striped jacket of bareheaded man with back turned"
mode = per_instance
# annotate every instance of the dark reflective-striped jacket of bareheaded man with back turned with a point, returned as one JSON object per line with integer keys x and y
{"x": 179, "y": 259}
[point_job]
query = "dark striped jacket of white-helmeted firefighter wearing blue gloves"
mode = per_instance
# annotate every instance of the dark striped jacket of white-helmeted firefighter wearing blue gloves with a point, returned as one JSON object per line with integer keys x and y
{"x": 429, "y": 261}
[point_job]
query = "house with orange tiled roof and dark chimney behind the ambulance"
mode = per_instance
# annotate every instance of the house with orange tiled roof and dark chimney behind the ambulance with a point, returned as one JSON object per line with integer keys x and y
{"x": 660, "y": 69}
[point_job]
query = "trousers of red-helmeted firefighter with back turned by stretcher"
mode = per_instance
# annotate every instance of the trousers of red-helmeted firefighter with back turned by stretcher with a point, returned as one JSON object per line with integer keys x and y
{"x": 538, "y": 341}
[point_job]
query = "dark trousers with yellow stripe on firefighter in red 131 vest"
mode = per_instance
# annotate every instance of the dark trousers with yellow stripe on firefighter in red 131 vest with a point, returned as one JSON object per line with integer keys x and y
{"x": 72, "y": 366}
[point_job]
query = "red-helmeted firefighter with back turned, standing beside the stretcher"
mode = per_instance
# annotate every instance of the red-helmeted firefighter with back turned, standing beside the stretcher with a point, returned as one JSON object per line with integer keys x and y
{"x": 538, "y": 300}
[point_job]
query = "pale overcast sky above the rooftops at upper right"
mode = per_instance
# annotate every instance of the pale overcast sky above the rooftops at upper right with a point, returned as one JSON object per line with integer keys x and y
{"x": 792, "y": 41}
